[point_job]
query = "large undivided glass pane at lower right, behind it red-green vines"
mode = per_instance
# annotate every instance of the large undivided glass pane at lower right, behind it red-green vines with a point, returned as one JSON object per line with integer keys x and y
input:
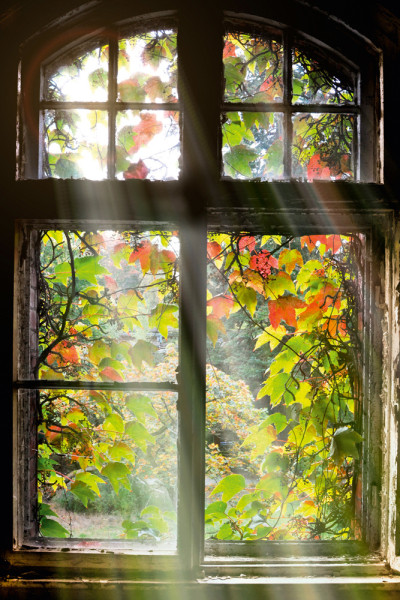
{"x": 283, "y": 387}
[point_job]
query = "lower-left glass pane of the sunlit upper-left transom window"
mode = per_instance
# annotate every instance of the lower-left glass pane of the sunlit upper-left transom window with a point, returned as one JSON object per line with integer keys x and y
{"x": 75, "y": 144}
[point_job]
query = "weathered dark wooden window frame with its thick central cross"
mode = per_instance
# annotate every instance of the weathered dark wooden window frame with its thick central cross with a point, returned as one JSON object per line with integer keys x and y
{"x": 196, "y": 201}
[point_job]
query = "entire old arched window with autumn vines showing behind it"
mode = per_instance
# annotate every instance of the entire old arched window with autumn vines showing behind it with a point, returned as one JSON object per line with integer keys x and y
{"x": 116, "y": 383}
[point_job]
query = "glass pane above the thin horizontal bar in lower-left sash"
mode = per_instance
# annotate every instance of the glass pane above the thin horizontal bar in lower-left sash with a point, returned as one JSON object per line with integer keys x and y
{"x": 108, "y": 306}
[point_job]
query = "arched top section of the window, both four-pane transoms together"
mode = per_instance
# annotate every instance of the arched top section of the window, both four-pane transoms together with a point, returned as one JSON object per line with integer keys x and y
{"x": 290, "y": 108}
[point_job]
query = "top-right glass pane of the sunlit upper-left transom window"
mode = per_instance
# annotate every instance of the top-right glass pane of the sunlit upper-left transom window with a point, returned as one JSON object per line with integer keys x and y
{"x": 147, "y": 67}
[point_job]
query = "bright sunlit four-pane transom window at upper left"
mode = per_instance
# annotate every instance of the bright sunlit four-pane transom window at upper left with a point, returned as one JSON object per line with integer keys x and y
{"x": 111, "y": 110}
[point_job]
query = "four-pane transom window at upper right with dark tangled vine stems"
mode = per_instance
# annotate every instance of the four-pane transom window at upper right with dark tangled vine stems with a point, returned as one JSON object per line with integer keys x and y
{"x": 288, "y": 112}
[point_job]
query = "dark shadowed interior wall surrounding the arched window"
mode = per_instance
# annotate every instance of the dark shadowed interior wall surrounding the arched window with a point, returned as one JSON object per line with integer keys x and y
{"x": 379, "y": 23}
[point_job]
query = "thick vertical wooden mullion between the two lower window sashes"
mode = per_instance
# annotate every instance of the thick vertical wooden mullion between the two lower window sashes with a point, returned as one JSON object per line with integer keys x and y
{"x": 192, "y": 393}
